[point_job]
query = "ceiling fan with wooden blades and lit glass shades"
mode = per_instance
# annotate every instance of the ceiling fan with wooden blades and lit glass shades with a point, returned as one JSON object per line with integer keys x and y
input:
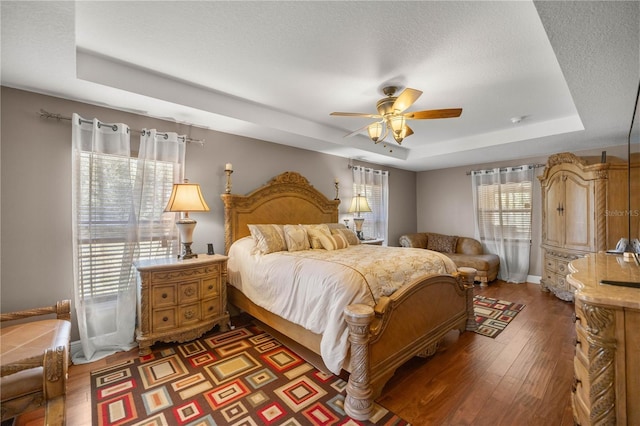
{"x": 391, "y": 117}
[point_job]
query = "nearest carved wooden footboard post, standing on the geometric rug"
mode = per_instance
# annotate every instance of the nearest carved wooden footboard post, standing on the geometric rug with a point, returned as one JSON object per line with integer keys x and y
{"x": 358, "y": 402}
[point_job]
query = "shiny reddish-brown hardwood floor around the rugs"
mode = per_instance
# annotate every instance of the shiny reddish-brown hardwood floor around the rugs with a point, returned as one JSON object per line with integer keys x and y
{"x": 522, "y": 377}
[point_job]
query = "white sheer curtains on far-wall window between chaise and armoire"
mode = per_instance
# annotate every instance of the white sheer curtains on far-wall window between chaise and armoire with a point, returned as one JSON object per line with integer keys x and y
{"x": 502, "y": 200}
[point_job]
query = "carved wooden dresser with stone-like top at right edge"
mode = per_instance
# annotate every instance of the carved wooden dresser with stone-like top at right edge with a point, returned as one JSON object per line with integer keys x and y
{"x": 607, "y": 359}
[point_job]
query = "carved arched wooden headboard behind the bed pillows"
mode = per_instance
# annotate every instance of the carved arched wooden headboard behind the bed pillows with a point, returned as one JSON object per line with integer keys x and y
{"x": 286, "y": 199}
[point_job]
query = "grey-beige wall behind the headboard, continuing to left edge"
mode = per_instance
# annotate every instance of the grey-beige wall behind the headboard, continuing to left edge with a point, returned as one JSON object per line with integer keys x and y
{"x": 35, "y": 169}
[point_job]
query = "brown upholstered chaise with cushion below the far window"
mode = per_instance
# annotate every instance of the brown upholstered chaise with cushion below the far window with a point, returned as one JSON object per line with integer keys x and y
{"x": 464, "y": 251}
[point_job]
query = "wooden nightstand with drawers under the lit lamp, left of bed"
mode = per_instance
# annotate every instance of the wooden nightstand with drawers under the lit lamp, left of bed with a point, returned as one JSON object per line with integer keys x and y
{"x": 180, "y": 300}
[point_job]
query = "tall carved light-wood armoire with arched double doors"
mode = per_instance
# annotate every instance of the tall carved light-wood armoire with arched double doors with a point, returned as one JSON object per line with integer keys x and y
{"x": 584, "y": 210}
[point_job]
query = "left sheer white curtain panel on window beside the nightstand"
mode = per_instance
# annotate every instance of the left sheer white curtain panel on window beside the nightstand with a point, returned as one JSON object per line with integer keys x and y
{"x": 104, "y": 237}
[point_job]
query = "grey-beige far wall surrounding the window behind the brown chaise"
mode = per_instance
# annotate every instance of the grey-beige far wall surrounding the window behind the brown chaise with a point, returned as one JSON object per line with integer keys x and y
{"x": 444, "y": 200}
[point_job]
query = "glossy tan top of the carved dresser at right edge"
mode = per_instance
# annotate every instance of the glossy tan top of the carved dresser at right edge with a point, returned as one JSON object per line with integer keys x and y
{"x": 587, "y": 274}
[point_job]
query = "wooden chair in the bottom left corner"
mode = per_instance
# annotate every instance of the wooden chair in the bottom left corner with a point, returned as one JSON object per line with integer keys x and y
{"x": 34, "y": 362}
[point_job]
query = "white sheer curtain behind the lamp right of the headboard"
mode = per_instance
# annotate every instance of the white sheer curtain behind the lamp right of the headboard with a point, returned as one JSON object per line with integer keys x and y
{"x": 373, "y": 184}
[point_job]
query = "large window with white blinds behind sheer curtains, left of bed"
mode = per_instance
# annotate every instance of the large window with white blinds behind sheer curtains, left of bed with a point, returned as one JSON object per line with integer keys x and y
{"x": 105, "y": 211}
